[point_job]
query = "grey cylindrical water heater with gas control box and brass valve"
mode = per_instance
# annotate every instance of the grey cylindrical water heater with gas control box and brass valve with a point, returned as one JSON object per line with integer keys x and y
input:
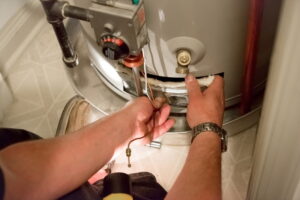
{"x": 210, "y": 36}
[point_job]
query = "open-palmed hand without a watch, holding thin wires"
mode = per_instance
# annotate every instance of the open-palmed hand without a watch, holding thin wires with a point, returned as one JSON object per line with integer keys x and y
{"x": 141, "y": 113}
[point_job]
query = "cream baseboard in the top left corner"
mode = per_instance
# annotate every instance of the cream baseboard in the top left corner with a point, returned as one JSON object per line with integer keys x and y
{"x": 18, "y": 32}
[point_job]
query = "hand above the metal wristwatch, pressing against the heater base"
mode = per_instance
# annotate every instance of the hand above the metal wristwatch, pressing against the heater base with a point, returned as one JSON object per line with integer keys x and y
{"x": 207, "y": 106}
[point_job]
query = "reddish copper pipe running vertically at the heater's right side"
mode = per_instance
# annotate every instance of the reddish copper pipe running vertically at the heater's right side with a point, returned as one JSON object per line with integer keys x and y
{"x": 254, "y": 25}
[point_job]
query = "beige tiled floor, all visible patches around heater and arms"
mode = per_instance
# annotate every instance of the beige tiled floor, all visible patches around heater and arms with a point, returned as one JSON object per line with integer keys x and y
{"x": 41, "y": 89}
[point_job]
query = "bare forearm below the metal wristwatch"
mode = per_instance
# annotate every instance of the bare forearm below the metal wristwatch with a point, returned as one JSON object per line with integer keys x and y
{"x": 201, "y": 174}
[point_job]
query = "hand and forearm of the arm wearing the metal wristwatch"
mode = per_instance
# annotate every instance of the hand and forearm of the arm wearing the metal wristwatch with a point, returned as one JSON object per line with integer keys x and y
{"x": 200, "y": 177}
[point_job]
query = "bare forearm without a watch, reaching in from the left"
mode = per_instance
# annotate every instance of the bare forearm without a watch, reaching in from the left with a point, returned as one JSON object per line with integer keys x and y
{"x": 47, "y": 169}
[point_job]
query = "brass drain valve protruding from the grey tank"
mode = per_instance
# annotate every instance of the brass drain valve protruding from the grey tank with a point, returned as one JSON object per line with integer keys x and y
{"x": 184, "y": 59}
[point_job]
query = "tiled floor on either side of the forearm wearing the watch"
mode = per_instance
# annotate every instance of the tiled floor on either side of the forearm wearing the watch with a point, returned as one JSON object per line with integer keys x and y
{"x": 167, "y": 162}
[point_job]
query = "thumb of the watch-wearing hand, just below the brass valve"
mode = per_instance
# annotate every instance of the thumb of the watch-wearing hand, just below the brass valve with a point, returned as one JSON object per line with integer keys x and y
{"x": 193, "y": 88}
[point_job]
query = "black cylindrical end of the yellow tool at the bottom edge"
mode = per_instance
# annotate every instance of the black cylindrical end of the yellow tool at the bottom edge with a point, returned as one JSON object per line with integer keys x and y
{"x": 117, "y": 183}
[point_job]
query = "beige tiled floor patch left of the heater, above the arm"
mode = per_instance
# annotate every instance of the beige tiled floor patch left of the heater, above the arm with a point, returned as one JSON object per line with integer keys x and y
{"x": 40, "y": 87}
